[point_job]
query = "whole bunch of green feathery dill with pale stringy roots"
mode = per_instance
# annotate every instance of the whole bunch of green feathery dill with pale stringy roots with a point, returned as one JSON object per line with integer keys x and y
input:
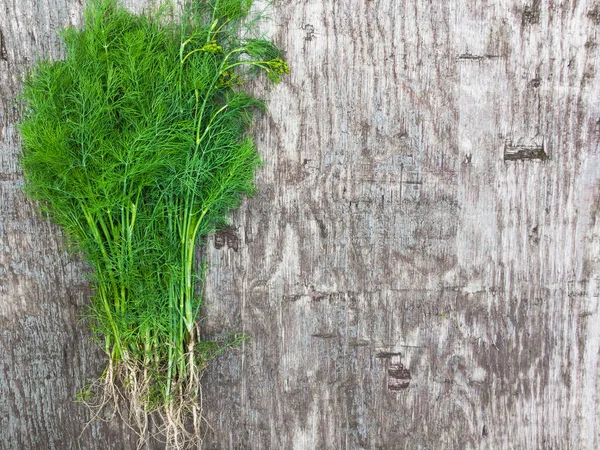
{"x": 136, "y": 144}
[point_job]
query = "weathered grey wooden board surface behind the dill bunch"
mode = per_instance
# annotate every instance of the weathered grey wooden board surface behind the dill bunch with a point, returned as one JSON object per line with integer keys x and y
{"x": 406, "y": 285}
